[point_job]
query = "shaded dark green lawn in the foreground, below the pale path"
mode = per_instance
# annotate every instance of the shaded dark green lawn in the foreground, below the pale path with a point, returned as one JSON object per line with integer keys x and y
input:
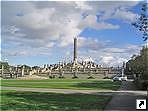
{"x": 39, "y": 101}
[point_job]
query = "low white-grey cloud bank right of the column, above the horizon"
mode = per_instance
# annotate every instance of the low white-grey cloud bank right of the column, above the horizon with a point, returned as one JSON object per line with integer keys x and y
{"x": 110, "y": 56}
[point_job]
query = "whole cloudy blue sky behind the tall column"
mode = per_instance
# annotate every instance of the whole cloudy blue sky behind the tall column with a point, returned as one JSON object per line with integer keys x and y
{"x": 36, "y": 33}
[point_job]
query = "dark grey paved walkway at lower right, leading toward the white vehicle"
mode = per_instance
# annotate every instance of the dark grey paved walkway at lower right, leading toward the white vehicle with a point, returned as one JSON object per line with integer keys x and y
{"x": 126, "y": 102}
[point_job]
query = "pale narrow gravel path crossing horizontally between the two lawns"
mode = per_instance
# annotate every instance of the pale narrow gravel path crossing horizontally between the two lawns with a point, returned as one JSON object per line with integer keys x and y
{"x": 68, "y": 91}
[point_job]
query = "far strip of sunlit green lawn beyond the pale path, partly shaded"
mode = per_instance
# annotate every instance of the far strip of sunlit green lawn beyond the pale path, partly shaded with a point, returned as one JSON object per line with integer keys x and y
{"x": 90, "y": 84}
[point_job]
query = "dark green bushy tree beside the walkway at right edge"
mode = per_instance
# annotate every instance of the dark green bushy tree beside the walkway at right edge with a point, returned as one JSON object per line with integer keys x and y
{"x": 138, "y": 66}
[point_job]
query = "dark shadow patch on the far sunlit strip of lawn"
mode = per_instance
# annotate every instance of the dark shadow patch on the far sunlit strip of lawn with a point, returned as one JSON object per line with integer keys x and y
{"x": 104, "y": 85}
